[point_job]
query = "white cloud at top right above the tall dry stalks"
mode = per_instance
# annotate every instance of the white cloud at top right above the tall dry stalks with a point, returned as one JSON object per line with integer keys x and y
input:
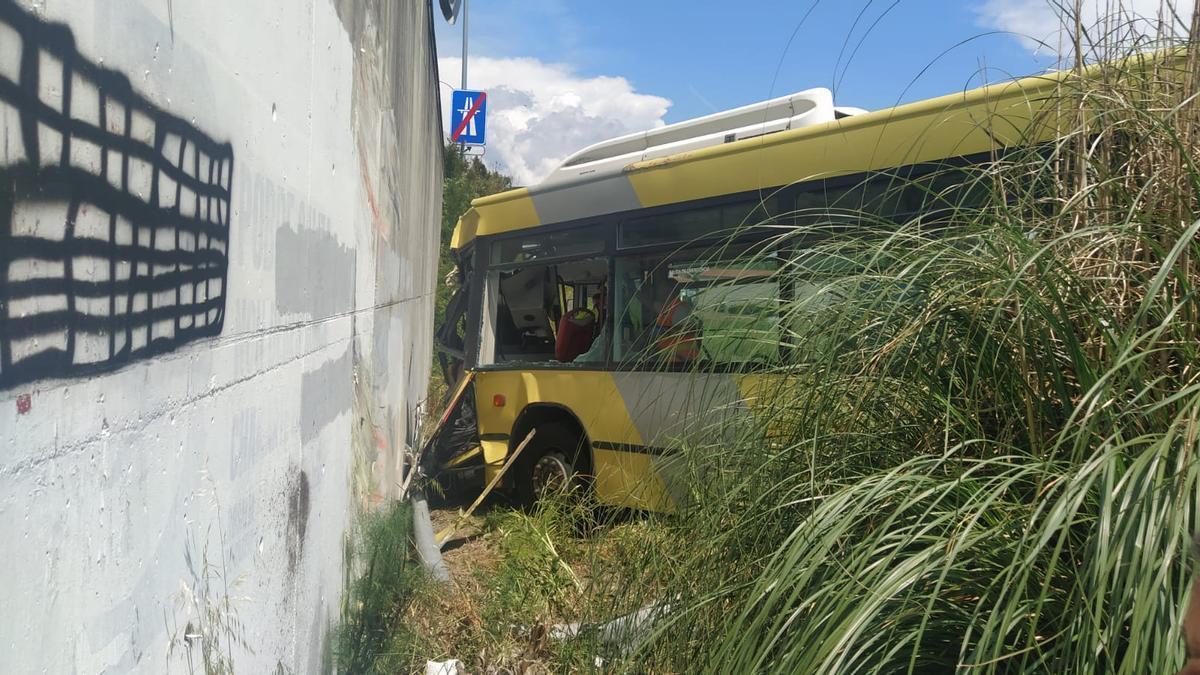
{"x": 1040, "y": 23}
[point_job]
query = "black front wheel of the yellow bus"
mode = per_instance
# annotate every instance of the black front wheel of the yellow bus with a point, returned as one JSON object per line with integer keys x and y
{"x": 550, "y": 463}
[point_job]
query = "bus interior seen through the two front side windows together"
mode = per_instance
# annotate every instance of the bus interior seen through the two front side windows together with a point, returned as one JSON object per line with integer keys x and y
{"x": 680, "y": 308}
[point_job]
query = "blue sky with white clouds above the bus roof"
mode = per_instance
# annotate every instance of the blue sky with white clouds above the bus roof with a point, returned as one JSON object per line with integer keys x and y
{"x": 562, "y": 75}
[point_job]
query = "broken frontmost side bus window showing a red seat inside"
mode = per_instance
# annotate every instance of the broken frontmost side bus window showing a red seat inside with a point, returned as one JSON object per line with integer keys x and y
{"x": 547, "y": 314}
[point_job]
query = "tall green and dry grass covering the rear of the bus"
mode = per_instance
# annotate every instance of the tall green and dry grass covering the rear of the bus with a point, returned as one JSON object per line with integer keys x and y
{"x": 981, "y": 452}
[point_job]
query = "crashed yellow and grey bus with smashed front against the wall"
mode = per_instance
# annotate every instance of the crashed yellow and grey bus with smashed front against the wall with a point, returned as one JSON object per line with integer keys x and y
{"x": 568, "y": 289}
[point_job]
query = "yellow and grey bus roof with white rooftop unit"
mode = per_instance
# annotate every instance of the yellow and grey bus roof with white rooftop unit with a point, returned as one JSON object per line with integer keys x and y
{"x": 955, "y": 126}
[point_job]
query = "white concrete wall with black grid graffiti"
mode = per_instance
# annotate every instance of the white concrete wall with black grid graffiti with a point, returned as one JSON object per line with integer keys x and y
{"x": 218, "y": 250}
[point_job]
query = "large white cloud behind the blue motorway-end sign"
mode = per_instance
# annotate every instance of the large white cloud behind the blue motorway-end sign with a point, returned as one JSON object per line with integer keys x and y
{"x": 541, "y": 114}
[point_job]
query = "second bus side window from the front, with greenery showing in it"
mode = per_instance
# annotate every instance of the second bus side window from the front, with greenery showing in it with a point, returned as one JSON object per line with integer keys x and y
{"x": 697, "y": 310}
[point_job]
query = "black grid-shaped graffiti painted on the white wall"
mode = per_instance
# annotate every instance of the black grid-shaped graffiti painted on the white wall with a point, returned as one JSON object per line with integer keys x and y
{"x": 115, "y": 216}
